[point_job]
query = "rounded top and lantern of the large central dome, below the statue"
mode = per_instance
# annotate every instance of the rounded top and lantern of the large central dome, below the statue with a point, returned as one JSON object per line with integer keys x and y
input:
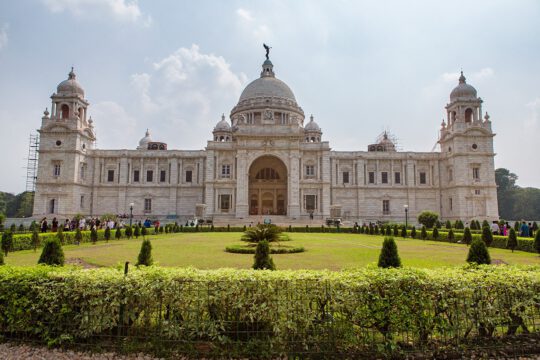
{"x": 267, "y": 86}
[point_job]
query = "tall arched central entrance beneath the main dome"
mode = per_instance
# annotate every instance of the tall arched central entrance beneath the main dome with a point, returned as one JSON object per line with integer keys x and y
{"x": 268, "y": 186}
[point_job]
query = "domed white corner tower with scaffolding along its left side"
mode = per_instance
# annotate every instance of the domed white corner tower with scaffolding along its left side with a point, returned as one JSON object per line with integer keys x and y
{"x": 67, "y": 136}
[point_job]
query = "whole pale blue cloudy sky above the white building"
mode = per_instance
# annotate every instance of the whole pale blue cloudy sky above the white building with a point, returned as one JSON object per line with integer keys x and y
{"x": 360, "y": 67}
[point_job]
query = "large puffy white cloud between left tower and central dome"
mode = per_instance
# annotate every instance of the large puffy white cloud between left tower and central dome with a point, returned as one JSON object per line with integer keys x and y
{"x": 182, "y": 97}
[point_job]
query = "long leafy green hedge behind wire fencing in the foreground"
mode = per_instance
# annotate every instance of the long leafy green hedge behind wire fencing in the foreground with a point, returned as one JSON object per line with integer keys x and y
{"x": 232, "y": 312}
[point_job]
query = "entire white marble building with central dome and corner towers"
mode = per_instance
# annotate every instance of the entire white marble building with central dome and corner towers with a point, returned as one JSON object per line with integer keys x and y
{"x": 266, "y": 159}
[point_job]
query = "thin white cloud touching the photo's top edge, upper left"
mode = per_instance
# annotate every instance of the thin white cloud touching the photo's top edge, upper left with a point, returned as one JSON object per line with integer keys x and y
{"x": 121, "y": 10}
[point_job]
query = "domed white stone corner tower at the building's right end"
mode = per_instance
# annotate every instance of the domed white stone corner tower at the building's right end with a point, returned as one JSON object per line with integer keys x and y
{"x": 467, "y": 165}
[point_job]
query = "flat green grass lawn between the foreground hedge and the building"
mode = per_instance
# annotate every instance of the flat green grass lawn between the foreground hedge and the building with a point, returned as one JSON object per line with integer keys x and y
{"x": 324, "y": 251}
